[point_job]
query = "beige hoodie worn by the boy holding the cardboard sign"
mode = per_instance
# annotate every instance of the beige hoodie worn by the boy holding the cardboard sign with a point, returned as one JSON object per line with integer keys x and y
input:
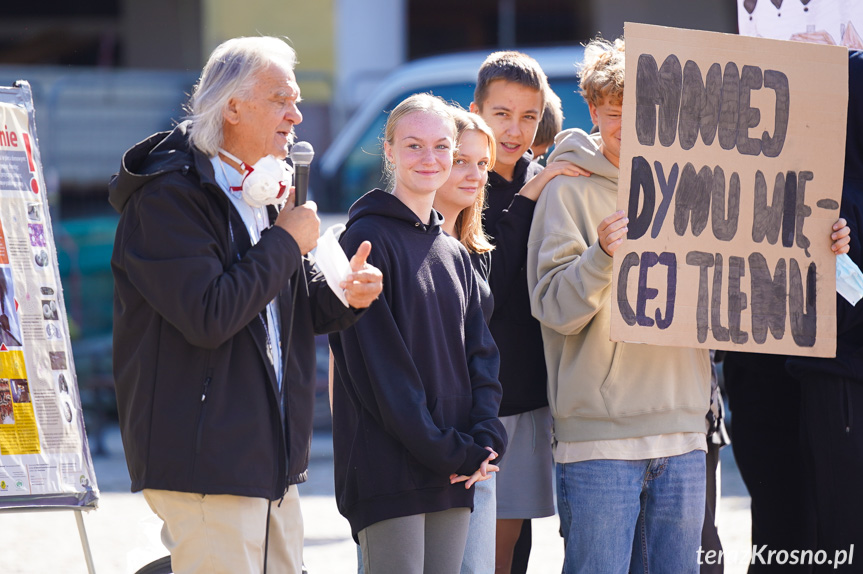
{"x": 599, "y": 389}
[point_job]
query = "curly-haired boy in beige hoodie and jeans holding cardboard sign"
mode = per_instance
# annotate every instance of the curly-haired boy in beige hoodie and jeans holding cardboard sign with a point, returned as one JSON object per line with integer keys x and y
{"x": 628, "y": 419}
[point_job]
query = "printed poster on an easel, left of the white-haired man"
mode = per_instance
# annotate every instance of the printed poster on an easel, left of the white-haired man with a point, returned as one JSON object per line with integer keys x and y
{"x": 44, "y": 456}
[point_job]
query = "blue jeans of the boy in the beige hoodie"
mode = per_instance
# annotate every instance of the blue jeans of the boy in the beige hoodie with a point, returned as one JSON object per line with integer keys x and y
{"x": 620, "y": 516}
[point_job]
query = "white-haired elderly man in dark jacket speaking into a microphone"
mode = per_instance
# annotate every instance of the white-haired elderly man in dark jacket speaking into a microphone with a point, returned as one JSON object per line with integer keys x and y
{"x": 216, "y": 305}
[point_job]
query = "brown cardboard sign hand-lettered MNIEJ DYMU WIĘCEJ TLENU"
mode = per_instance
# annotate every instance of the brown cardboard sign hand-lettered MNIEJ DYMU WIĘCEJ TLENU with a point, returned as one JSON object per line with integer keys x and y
{"x": 731, "y": 175}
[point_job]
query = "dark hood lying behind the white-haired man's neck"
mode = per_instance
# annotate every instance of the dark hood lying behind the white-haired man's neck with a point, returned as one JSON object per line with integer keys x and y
{"x": 159, "y": 154}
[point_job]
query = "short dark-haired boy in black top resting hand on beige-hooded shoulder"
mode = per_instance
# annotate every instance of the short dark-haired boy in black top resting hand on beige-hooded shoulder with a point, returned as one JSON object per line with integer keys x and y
{"x": 510, "y": 96}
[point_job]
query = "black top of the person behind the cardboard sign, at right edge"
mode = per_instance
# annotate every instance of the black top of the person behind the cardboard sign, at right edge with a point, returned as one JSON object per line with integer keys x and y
{"x": 848, "y": 363}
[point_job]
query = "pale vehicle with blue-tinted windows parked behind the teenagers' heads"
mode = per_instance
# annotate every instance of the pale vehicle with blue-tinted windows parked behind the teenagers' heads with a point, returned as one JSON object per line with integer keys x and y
{"x": 352, "y": 165}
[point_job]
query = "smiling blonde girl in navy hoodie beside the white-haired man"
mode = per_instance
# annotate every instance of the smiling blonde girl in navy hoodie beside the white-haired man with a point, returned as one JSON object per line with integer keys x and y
{"x": 416, "y": 389}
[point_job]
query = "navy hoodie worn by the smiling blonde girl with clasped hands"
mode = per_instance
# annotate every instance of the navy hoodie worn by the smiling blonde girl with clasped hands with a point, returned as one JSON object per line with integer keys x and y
{"x": 416, "y": 391}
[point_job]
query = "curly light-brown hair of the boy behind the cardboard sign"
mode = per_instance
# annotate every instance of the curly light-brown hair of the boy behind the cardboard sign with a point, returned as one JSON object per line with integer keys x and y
{"x": 602, "y": 71}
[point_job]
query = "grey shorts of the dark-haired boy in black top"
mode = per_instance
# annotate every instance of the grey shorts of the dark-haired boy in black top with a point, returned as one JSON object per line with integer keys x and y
{"x": 525, "y": 482}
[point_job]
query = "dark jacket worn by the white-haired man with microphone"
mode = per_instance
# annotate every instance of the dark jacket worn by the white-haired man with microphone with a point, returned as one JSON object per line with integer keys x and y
{"x": 197, "y": 395}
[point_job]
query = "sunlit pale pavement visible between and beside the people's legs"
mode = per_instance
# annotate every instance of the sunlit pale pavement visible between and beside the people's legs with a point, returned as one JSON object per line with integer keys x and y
{"x": 124, "y": 534}
